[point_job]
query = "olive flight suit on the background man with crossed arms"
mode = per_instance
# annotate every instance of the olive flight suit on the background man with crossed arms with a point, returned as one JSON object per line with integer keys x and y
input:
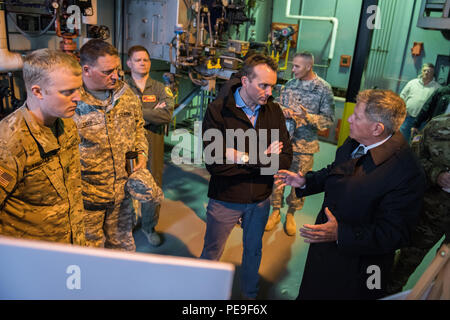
{"x": 155, "y": 120}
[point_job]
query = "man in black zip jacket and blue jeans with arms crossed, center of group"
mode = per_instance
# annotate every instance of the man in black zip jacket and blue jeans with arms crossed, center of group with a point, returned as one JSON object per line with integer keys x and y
{"x": 250, "y": 143}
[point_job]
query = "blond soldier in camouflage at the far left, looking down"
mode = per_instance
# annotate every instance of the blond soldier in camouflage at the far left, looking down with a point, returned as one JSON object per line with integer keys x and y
{"x": 40, "y": 181}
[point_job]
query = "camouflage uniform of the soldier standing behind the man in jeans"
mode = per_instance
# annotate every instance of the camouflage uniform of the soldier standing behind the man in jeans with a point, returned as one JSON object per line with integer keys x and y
{"x": 317, "y": 98}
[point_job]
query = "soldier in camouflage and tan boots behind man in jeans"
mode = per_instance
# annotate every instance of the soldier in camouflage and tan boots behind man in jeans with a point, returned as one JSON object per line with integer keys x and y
{"x": 308, "y": 100}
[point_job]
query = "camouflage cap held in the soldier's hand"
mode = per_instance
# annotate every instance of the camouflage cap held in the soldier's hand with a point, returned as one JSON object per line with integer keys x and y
{"x": 142, "y": 187}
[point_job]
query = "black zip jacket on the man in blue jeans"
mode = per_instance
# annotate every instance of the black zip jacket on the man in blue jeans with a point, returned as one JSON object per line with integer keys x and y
{"x": 242, "y": 183}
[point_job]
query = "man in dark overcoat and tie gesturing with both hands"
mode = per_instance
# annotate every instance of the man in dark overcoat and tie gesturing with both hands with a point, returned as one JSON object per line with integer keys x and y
{"x": 373, "y": 196}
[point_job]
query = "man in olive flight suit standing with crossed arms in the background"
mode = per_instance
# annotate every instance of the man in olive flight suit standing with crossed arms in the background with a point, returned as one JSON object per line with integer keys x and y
{"x": 157, "y": 106}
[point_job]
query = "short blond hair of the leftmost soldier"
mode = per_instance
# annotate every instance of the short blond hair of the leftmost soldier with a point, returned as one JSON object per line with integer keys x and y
{"x": 38, "y": 65}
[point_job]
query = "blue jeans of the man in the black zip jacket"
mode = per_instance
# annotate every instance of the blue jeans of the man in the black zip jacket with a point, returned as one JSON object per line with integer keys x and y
{"x": 221, "y": 217}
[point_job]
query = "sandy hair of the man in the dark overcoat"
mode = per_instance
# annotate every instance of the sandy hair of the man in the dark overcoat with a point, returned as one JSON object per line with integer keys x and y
{"x": 384, "y": 106}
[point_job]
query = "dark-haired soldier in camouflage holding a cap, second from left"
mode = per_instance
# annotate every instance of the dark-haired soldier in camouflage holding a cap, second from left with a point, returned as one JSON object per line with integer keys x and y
{"x": 110, "y": 124}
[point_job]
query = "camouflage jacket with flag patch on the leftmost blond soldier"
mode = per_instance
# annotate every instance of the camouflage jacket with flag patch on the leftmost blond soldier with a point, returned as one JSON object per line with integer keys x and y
{"x": 40, "y": 182}
